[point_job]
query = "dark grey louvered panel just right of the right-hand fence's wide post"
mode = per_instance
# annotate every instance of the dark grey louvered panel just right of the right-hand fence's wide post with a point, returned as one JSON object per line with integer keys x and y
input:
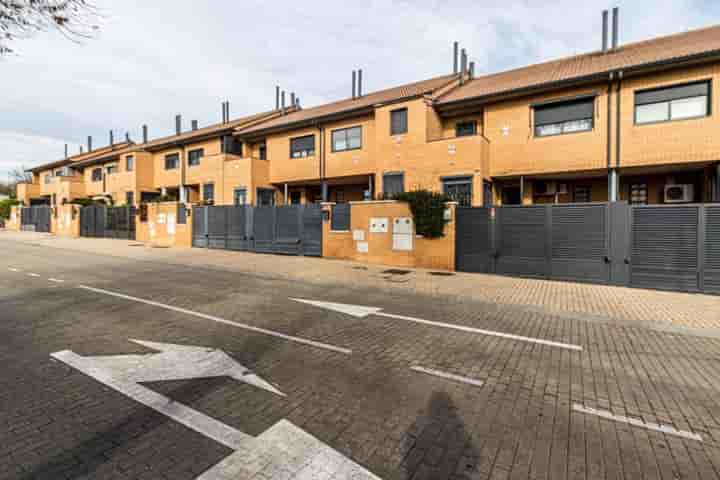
{"x": 664, "y": 247}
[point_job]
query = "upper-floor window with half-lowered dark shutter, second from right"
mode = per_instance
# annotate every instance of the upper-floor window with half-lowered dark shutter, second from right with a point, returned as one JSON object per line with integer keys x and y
{"x": 564, "y": 117}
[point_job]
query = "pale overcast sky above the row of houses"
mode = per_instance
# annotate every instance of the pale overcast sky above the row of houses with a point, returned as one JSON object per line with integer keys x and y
{"x": 153, "y": 60}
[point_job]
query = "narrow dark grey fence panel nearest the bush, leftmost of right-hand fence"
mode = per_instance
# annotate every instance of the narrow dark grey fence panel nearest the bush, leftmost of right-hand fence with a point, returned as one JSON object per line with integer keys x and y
{"x": 473, "y": 240}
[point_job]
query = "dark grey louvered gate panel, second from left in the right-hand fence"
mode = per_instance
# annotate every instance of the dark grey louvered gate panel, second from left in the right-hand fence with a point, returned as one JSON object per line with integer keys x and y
{"x": 521, "y": 239}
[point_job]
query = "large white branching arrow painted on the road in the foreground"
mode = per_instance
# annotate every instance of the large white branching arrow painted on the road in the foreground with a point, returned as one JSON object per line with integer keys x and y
{"x": 283, "y": 447}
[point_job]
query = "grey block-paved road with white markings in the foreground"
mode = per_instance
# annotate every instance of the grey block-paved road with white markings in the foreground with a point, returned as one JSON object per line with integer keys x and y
{"x": 438, "y": 388}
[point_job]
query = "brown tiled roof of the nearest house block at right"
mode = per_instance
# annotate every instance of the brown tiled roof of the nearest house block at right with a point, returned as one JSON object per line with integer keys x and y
{"x": 671, "y": 48}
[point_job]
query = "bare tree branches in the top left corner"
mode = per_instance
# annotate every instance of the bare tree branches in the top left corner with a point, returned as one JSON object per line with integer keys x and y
{"x": 75, "y": 19}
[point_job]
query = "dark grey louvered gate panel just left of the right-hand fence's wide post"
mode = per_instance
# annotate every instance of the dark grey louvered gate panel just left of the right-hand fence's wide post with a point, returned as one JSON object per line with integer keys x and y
{"x": 579, "y": 248}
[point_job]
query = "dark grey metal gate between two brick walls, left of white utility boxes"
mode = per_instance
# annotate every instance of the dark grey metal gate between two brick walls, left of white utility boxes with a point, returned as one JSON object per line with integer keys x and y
{"x": 290, "y": 229}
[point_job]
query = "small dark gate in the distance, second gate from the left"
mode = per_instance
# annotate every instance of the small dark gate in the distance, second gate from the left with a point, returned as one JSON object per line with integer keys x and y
{"x": 101, "y": 221}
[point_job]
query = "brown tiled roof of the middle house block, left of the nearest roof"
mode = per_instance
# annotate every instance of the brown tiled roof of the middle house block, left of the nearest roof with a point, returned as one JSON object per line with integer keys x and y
{"x": 351, "y": 104}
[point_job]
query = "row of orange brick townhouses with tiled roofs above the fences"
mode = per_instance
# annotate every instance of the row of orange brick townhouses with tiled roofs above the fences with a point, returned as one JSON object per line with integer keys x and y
{"x": 636, "y": 122}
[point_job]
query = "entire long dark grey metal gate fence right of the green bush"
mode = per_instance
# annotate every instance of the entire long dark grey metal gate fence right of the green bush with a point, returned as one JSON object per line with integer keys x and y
{"x": 663, "y": 247}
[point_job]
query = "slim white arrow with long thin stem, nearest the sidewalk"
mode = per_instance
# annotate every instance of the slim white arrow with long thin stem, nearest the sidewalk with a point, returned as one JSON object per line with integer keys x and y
{"x": 361, "y": 312}
